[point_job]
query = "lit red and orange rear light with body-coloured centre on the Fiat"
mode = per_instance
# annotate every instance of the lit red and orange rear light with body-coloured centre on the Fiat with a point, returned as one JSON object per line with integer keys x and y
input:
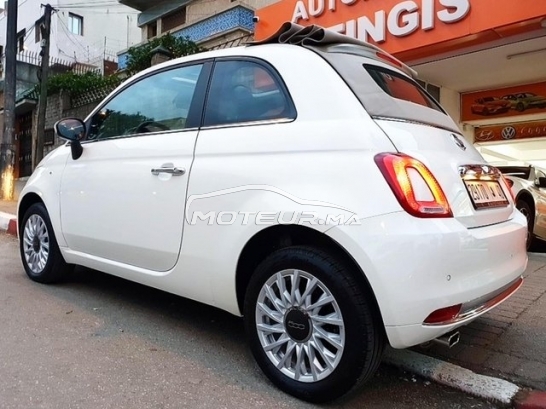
{"x": 417, "y": 190}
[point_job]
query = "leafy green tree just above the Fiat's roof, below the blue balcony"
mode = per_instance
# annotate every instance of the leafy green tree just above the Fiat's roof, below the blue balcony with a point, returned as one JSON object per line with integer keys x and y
{"x": 140, "y": 56}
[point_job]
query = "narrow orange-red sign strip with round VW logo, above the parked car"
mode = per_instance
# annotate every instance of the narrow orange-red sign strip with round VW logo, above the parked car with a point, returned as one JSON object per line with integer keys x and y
{"x": 508, "y": 132}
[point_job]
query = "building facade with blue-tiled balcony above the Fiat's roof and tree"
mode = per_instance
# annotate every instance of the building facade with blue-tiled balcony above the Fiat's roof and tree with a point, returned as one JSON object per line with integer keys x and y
{"x": 205, "y": 22}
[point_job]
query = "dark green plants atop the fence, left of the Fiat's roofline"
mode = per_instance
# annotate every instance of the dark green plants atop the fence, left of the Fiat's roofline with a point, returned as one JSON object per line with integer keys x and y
{"x": 77, "y": 84}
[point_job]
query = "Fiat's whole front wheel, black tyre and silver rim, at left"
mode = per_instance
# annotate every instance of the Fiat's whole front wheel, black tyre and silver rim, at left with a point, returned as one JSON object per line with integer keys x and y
{"x": 40, "y": 253}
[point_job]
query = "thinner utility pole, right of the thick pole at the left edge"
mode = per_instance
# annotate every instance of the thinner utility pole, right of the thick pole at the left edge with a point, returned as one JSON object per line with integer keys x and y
{"x": 44, "y": 74}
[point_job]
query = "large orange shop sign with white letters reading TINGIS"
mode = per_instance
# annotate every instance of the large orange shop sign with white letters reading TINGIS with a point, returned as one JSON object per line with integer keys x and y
{"x": 409, "y": 29}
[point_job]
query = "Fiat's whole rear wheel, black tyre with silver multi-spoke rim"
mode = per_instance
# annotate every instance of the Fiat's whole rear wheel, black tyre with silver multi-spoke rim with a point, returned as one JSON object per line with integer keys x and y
{"x": 354, "y": 325}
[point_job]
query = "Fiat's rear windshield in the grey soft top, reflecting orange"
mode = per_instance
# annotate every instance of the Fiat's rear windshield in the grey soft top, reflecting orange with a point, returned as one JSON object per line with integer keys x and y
{"x": 400, "y": 87}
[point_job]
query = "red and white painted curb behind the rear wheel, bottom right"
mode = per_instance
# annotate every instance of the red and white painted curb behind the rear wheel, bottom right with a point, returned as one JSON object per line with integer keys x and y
{"x": 485, "y": 387}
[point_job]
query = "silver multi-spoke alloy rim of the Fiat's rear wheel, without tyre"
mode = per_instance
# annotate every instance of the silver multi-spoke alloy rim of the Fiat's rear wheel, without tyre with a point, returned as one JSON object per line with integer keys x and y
{"x": 300, "y": 325}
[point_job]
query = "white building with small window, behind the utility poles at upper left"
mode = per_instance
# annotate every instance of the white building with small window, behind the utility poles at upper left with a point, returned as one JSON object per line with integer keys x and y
{"x": 82, "y": 31}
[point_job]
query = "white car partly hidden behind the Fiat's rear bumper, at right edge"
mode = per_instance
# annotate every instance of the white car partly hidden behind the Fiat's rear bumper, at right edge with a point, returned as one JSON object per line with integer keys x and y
{"x": 528, "y": 185}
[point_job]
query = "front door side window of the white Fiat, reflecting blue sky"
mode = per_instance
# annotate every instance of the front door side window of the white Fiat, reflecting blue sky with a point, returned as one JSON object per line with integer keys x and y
{"x": 157, "y": 103}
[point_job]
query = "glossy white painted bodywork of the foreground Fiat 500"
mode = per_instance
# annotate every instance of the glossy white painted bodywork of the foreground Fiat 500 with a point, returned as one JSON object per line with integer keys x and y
{"x": 138, "y": 230}
